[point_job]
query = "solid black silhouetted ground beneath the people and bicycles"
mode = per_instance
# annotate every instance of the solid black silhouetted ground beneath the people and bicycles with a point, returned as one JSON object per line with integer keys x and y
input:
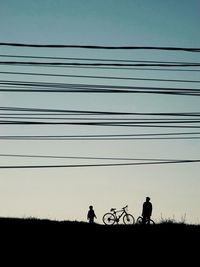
{"x": 71, "y": 243}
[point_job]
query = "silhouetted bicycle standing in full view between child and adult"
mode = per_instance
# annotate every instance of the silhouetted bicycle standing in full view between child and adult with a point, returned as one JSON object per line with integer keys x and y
{"x": 111, "y": 217}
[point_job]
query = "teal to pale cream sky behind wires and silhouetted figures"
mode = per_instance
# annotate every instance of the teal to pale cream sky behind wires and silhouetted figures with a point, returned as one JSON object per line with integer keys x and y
{"x": 65, "y": 193}
